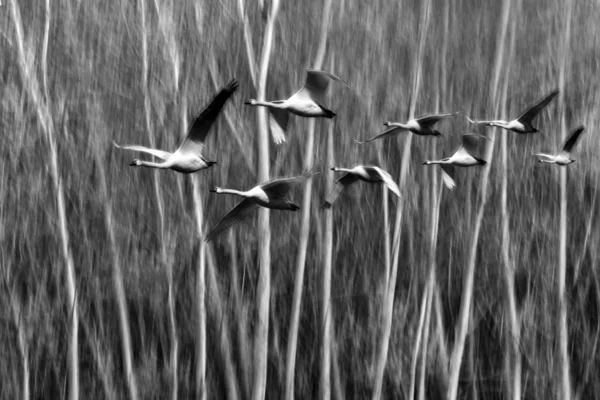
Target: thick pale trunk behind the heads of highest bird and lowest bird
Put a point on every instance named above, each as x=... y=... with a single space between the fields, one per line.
x=263 y=290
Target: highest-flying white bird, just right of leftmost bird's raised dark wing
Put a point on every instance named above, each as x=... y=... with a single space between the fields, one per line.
x=306 y=102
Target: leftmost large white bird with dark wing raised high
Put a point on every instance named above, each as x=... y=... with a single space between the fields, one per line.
x=188 y=157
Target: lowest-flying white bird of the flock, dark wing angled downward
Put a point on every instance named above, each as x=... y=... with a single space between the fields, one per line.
x=270 y=194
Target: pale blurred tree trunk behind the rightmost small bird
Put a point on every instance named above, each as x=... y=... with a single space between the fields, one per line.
x=563 y=332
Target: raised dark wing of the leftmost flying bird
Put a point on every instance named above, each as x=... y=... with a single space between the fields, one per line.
x=194 y=142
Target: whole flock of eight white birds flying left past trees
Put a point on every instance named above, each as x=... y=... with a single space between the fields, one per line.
x=308 y=102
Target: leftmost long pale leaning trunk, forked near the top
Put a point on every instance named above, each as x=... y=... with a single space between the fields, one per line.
x=42 y=107
